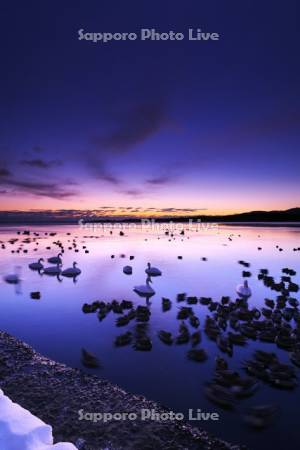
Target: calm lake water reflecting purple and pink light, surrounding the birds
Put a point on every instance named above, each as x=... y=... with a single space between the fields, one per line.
x=56 y=326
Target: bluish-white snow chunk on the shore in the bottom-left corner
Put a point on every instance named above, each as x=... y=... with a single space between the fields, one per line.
x=19 y=429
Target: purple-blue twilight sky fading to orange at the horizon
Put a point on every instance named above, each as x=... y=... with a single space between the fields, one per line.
x=149 y=126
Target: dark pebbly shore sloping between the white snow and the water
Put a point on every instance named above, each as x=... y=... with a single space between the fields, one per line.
x=55 y=393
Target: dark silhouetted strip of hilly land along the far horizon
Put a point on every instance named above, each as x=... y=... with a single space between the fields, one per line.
x=73 y=216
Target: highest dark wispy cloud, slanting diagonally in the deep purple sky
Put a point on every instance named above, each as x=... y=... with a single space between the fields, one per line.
x=135 y=126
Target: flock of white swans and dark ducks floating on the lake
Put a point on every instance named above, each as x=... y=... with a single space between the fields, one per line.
x=229 y=323
